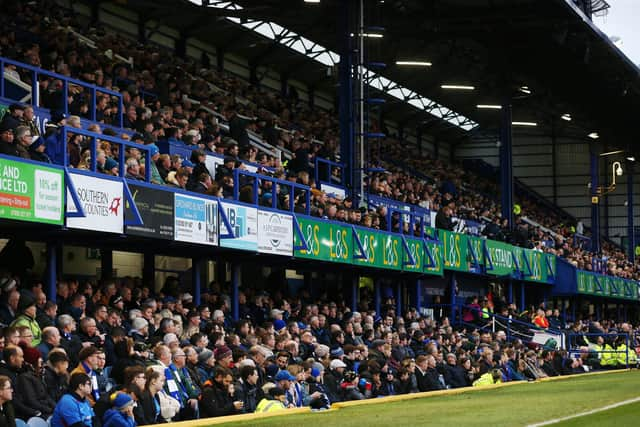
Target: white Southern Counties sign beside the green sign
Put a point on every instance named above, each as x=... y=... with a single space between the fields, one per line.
x=102 y=202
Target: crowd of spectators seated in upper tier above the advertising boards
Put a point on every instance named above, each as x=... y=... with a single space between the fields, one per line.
x=166 y=98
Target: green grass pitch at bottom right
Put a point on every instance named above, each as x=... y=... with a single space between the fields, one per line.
x=516 y=405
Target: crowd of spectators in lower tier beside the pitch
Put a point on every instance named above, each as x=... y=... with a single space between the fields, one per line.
x=86 y=358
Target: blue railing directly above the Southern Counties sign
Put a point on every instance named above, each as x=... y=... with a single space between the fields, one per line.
x=93 y=146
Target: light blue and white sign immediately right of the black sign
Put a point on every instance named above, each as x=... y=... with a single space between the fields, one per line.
x=196 y=220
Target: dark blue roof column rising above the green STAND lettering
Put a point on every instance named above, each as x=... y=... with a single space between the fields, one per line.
x=506 y=166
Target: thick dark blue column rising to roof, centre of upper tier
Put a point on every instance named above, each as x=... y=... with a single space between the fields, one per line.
x=345 y=93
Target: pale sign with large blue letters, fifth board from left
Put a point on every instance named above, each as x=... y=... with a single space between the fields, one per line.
x=244 y=225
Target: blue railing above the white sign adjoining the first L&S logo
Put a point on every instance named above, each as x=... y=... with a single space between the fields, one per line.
x=276 y=185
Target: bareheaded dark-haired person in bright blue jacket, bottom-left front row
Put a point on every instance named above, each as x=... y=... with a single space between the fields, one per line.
x=74 y=410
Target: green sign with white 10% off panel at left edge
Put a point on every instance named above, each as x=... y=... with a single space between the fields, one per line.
x=30 y=192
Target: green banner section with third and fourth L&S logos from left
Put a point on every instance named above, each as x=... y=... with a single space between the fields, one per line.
x=382 y=250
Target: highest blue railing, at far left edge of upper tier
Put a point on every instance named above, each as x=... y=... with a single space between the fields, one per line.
x=36 y=73
